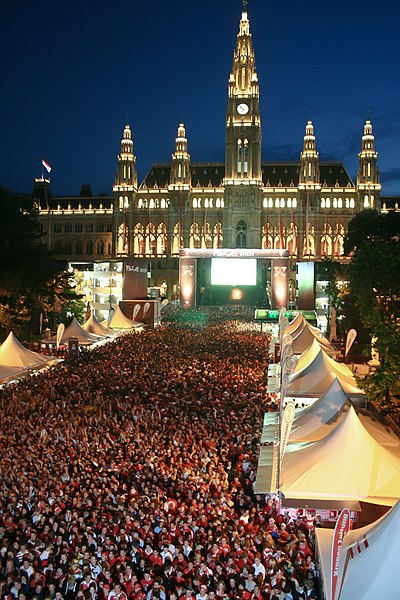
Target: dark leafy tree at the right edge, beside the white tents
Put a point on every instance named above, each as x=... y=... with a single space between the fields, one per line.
x=374 y=274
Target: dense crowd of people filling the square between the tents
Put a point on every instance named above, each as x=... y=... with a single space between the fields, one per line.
x=129 y=474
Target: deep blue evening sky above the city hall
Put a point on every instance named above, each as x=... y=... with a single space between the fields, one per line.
x=73 y=73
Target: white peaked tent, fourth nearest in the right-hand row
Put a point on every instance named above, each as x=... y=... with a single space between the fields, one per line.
x=315 y=372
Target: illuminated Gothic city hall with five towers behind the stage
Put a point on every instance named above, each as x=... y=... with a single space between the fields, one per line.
x=243 y=203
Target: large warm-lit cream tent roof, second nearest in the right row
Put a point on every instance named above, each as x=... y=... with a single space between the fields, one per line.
x=348 y=464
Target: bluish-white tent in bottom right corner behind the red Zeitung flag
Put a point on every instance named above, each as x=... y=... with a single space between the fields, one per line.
x=369 y=559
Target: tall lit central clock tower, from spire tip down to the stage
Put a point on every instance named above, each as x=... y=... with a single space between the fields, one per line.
x=243 y=176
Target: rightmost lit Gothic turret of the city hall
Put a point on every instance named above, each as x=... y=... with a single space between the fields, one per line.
x=368 y=174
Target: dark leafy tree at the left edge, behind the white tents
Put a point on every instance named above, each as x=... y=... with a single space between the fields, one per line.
x=32 y=280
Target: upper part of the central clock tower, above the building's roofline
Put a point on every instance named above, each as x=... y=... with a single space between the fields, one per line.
x=243 y=123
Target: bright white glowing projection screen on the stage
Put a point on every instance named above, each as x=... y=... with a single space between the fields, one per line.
x=233 y=271
